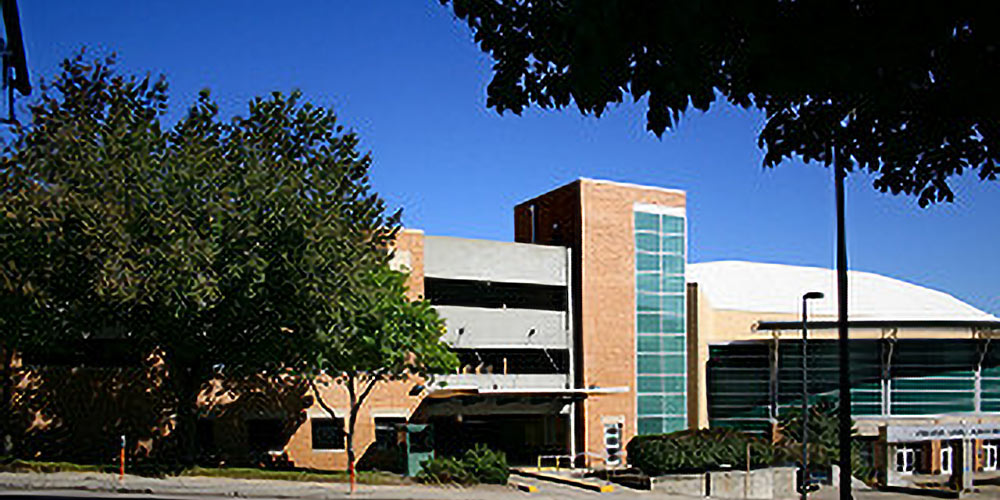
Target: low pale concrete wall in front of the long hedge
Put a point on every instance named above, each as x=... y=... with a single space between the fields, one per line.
x=771 y=483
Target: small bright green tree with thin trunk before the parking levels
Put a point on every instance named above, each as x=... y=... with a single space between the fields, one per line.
x=385 y=336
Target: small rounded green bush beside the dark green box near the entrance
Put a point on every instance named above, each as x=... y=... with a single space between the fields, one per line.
x=478 y=465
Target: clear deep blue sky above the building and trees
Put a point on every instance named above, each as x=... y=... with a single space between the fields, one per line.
x=407 y=77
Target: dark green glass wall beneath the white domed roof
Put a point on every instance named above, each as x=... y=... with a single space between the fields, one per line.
x=910 y=377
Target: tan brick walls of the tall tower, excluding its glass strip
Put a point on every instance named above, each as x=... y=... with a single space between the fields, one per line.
x=595 y=219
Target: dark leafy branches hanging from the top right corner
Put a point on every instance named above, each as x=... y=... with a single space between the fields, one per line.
x=904 y=90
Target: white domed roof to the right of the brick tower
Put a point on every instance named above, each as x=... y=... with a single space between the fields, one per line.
x=778 y=288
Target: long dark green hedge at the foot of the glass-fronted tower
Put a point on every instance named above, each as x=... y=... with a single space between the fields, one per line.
x=698 y=450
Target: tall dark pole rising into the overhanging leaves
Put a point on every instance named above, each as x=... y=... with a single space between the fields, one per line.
x=843 y=351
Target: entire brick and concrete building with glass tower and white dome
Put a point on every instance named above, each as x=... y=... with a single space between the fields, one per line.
x=591 y=327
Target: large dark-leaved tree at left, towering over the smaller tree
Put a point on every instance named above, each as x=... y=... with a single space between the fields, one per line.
x=222 y=246
